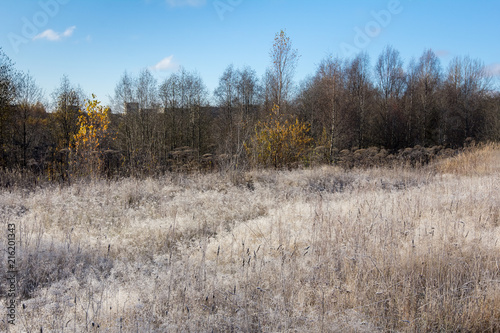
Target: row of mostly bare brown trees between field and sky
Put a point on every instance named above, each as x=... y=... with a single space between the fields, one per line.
x=177 y=124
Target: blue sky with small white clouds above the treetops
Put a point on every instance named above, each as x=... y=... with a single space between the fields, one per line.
x=94 y=42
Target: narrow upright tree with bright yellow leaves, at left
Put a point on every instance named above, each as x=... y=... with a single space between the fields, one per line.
x=87 y=146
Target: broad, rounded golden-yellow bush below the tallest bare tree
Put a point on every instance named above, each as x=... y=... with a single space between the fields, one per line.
x=279 y=142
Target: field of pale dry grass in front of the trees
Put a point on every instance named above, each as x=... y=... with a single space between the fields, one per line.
x=315 y=250
